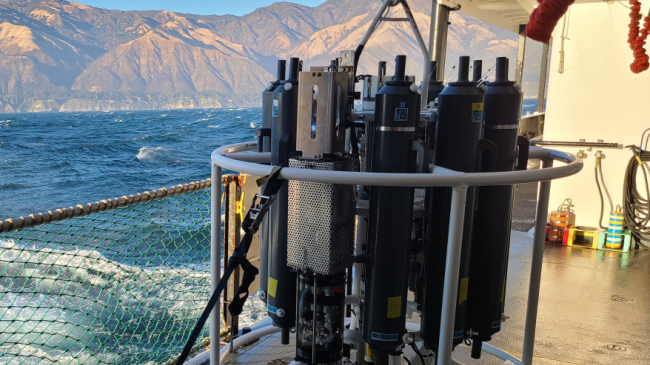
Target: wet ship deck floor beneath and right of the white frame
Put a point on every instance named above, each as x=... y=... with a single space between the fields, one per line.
x=594 y=306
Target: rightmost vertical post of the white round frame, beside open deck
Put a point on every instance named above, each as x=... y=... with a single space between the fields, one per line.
x=536 y=267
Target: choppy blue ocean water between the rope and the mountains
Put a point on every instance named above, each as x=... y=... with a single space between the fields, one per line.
x=55 y=160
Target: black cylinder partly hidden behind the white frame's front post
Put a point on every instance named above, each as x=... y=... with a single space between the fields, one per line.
x=459 y=120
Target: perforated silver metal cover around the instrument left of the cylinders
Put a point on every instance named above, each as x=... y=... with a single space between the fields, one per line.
x=321 y=220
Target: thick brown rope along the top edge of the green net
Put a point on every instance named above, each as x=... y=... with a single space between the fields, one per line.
x=62 y=214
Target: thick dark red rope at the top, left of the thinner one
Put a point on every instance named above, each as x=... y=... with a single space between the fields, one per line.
x=545 y=17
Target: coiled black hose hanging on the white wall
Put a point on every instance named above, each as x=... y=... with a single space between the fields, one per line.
x=635 y=206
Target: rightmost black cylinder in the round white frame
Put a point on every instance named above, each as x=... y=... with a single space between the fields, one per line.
x=489 y=258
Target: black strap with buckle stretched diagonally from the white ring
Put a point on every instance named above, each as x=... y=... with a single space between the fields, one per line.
x=250 y=225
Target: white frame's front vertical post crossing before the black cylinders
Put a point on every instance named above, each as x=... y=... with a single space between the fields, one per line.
x=452 y=268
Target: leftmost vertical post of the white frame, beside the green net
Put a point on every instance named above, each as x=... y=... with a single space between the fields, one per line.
x=215 y=262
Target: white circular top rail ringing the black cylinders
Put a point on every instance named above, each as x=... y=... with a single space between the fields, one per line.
x=574 y=165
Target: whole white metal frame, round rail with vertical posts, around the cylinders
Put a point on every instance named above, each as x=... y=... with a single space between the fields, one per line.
x=231 y=157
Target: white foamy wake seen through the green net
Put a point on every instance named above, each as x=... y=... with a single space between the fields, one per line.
x=78 y=307
